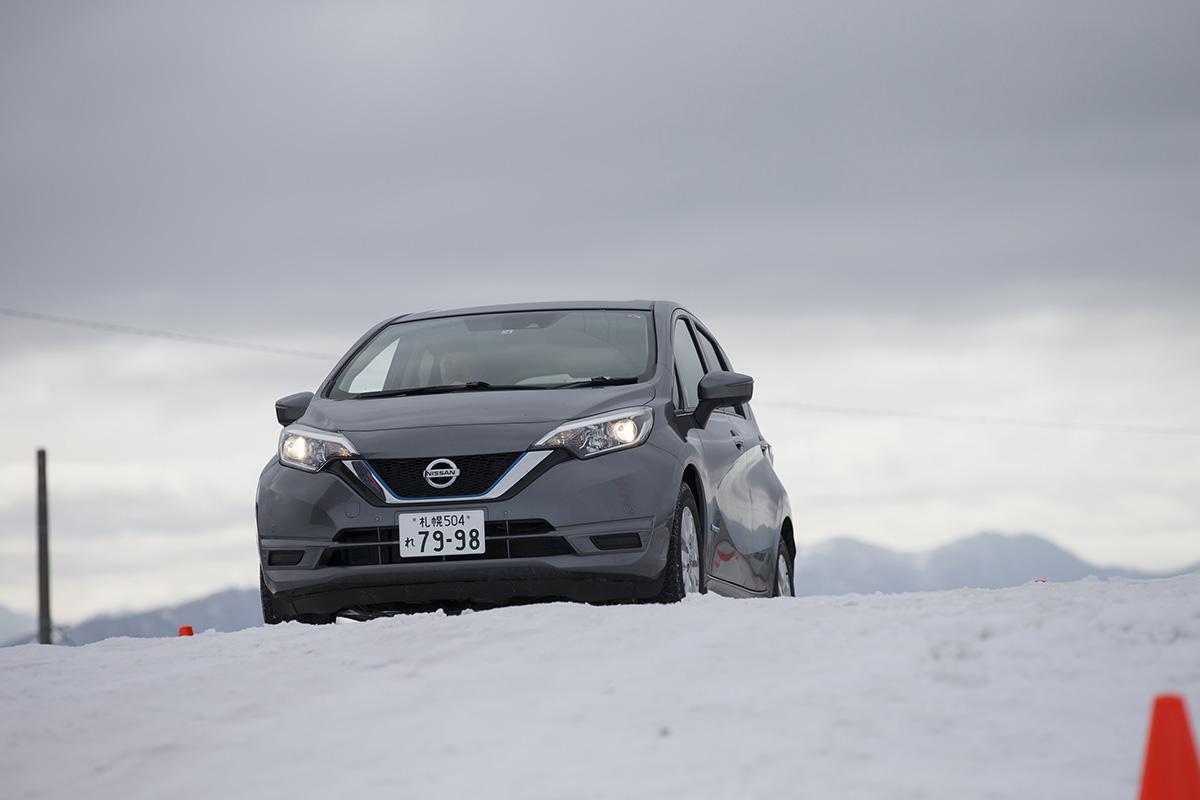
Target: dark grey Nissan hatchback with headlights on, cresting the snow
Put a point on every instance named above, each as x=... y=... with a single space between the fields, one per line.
x=586 y=452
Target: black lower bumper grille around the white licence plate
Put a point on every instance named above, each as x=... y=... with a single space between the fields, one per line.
x=506 y=540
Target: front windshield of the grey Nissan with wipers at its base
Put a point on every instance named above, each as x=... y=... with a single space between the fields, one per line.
x=529 y=350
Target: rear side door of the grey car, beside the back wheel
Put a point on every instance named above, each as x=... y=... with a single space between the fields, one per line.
x=754 y=474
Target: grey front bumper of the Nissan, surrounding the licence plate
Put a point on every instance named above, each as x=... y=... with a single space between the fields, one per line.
x=309 y=516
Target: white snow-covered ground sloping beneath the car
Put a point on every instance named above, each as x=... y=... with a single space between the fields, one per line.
x=1041 y=691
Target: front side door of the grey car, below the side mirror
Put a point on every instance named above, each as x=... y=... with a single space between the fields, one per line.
x=723 y=447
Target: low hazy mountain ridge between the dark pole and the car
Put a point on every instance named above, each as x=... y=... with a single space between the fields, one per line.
x=232 y=610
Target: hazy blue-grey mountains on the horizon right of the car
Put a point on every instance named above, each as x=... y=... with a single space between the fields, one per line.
x=983 y=562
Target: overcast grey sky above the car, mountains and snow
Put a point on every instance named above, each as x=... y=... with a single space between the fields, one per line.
x=988 y=209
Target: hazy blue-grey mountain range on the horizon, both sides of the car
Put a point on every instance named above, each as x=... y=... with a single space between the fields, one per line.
x=833 y=568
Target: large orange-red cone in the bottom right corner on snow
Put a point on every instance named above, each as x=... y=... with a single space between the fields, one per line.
x=1173 y=771
